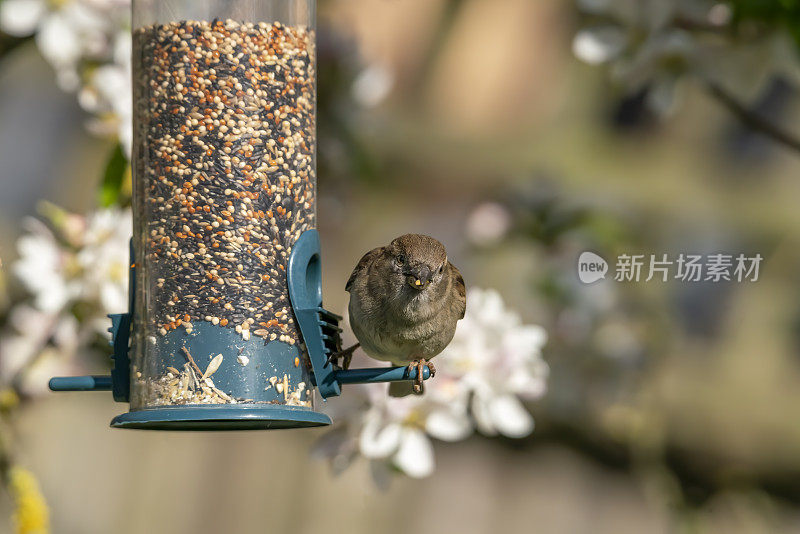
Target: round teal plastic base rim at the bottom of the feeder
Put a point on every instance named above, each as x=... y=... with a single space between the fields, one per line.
x=221 y=417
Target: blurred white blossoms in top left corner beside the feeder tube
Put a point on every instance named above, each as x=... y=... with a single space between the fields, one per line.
x=88 y=44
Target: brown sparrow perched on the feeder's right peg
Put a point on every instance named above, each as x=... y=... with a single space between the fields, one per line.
x=405 y=301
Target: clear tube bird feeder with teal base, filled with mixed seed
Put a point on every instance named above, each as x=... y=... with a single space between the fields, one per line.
x=225 y=328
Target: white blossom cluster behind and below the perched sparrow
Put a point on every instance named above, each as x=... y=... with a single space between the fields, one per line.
x=493 y=363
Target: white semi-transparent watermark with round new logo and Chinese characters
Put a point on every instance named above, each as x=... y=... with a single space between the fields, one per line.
x=663 y=267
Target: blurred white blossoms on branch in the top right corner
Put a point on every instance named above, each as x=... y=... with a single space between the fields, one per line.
x=662 y=43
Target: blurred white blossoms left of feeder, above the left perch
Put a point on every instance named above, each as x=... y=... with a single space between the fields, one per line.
x=76 y=273
